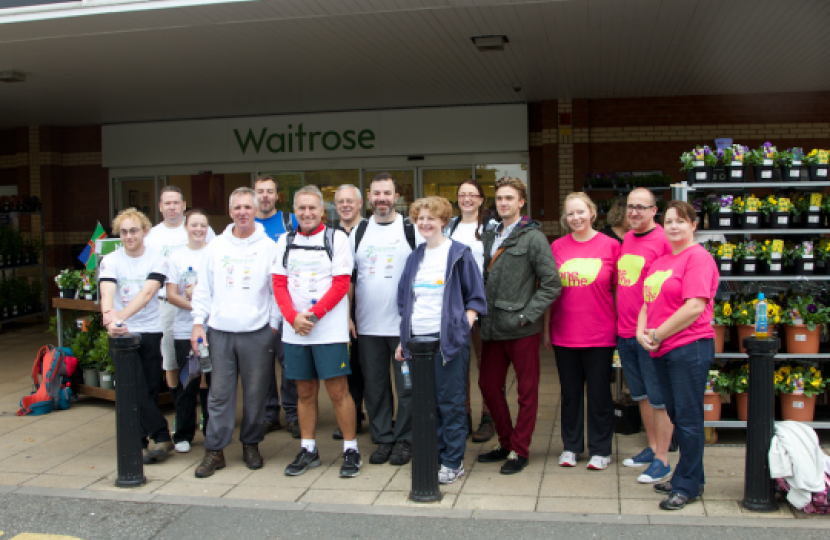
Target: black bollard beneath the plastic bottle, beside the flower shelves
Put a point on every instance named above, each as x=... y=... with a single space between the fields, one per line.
x=759 y=493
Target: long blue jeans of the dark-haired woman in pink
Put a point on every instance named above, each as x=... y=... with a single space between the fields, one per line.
x=682 y=373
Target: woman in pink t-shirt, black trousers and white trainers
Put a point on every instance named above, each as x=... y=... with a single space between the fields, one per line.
x=581 y=327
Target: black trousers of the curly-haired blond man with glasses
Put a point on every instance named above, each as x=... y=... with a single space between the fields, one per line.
x=153 y=423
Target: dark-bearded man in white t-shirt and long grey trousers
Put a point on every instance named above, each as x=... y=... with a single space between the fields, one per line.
x=381 y=246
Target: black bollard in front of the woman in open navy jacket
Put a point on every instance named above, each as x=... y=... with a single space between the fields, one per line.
x=424 y=430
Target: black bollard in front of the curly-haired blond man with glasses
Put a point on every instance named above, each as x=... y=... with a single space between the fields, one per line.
x=124 y=352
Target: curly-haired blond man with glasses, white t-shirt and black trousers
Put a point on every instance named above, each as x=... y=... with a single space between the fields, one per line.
x=130 y=278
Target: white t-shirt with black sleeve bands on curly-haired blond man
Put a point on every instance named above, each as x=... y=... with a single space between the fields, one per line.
x=130 y=274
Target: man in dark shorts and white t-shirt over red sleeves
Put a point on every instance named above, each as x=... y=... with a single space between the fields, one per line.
x=311 y=275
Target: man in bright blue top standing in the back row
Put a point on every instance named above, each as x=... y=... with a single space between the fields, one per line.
x=276 y=224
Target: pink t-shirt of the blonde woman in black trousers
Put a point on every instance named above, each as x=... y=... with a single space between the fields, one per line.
x=584 y=314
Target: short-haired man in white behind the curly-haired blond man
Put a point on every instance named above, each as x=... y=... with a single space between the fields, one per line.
x=165 y=238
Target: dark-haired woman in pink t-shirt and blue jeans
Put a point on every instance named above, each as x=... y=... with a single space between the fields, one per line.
x=675 y=327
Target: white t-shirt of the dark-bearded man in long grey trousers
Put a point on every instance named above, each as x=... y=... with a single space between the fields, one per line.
x=380 y=260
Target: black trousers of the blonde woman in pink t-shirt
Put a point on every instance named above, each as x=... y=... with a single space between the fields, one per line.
x=581 y=368
